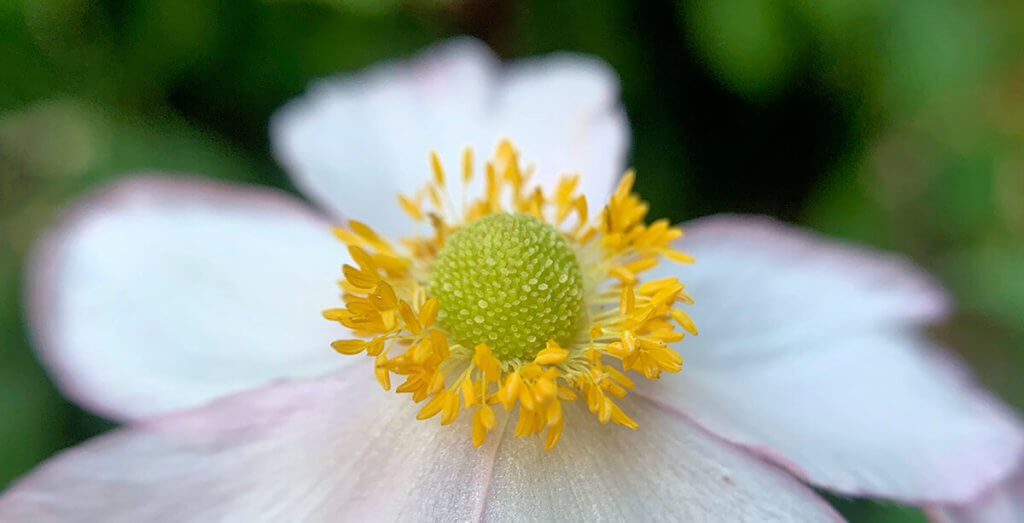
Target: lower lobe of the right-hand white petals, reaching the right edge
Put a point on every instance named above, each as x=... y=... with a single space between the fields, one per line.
x=865 y=416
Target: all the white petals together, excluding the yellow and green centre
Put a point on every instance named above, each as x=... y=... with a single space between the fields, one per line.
x=182 y=304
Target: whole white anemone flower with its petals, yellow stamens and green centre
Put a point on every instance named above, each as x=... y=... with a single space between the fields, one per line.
x=505 y=301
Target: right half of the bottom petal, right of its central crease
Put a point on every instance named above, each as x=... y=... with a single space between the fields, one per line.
x=669 y=470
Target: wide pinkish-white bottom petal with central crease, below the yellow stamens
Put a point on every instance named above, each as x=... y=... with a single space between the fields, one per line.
x=334 y=449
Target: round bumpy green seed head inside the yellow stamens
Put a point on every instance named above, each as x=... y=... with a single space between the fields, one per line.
x=511 y=282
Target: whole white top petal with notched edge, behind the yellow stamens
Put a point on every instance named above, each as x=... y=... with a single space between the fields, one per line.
x=355 y=143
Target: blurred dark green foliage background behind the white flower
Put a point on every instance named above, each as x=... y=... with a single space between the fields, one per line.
x=897 y=123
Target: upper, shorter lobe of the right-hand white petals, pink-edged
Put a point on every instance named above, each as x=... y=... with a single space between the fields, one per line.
x=767 y=286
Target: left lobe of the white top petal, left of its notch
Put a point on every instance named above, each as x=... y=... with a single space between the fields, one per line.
x=354 y=144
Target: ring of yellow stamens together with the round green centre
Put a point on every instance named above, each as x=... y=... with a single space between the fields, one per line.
x=518 y=300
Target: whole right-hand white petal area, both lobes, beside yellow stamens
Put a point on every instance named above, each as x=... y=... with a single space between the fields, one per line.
x=808 y=357
